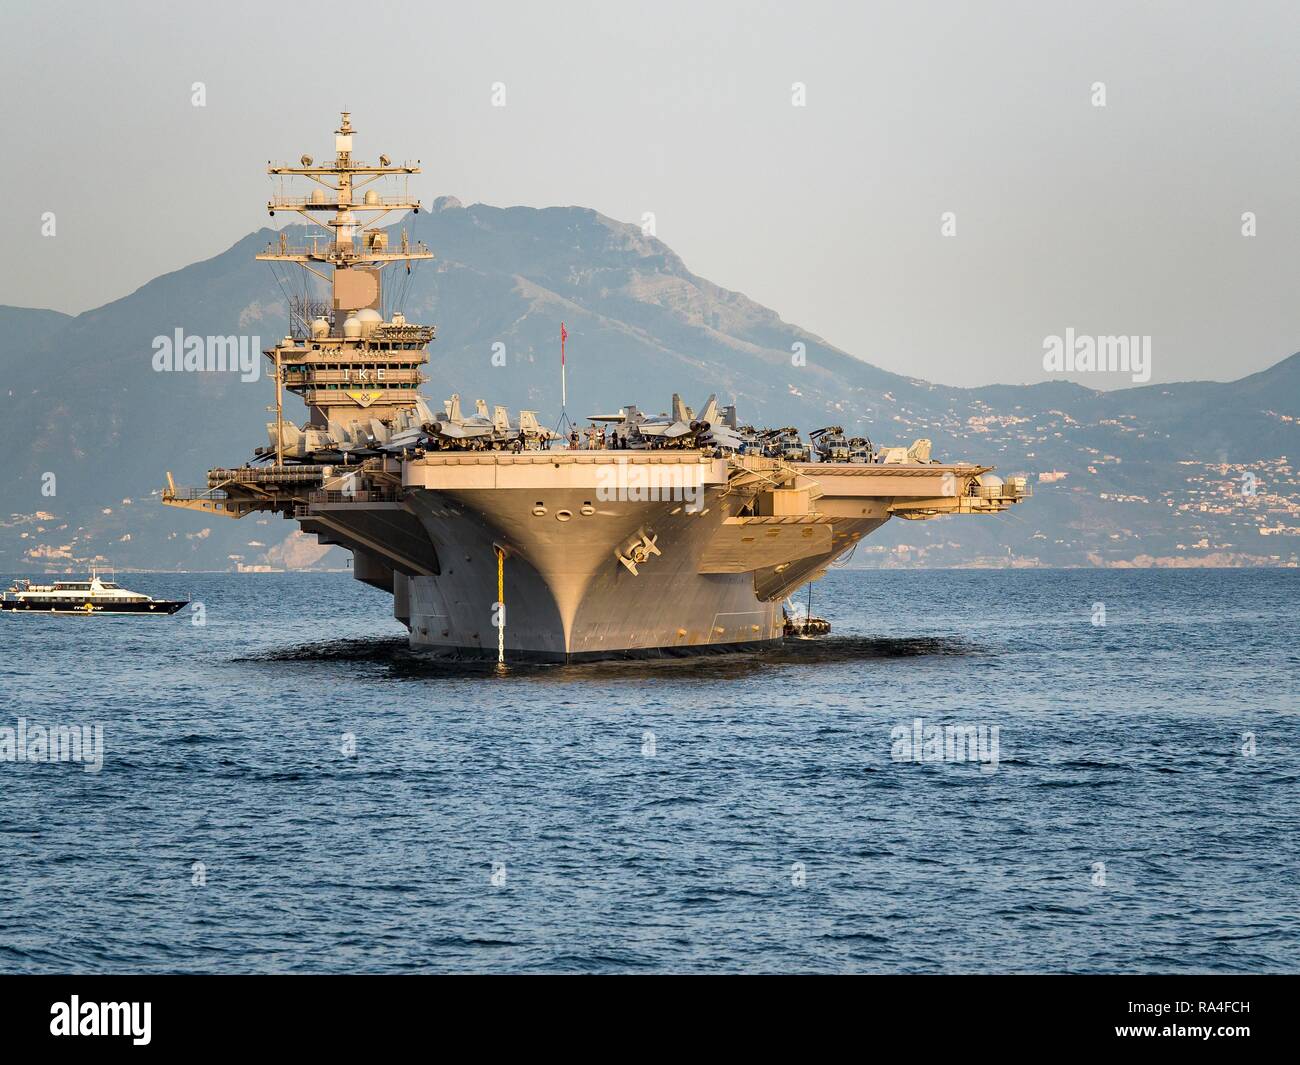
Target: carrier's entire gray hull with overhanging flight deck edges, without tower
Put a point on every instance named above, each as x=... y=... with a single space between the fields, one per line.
x=727 y=549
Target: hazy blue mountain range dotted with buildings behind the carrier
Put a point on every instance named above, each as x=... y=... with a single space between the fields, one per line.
x=1154 y=475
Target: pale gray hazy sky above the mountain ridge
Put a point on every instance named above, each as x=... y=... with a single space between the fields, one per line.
x=1124 y=219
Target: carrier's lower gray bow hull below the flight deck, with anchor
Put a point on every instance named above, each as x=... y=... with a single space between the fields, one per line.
x=566 y=594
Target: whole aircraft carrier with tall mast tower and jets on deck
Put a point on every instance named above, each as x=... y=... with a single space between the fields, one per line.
x=499 y=538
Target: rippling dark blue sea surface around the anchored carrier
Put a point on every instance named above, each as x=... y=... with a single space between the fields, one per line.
x=743 y=815
